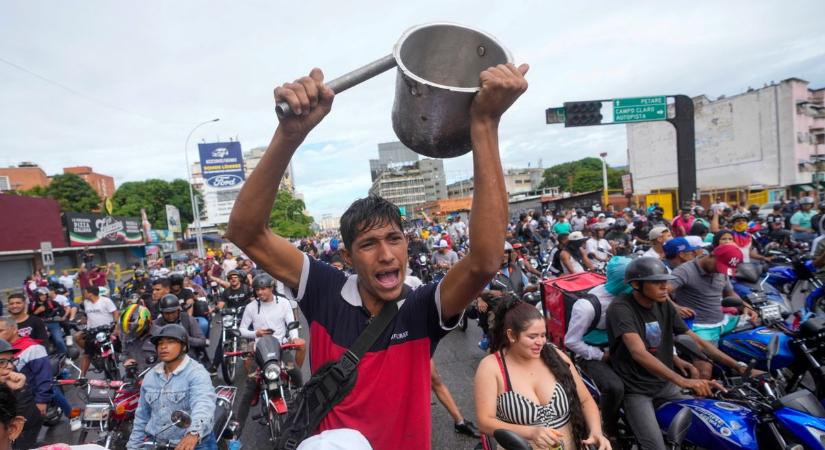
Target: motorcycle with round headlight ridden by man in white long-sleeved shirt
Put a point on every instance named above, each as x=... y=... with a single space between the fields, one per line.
x=277 y=380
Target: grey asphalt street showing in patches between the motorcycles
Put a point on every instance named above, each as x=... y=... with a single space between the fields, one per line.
x=457 y=357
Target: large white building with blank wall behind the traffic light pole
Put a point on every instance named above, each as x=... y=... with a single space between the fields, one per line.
x=768 y=137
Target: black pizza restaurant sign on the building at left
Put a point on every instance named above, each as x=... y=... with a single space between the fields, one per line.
x=99 y=229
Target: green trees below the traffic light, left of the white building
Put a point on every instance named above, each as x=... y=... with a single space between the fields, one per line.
x=581 y=176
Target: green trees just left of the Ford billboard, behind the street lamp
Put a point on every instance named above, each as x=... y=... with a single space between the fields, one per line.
x=153 y=196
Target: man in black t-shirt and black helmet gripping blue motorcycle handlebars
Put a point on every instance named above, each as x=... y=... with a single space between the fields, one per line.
x=640 y=329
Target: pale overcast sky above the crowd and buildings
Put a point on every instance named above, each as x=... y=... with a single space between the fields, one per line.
x=125 y=82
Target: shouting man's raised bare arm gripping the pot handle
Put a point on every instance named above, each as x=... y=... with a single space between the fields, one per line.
x=248 y=226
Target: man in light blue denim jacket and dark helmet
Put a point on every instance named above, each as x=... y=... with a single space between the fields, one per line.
x=176 y=383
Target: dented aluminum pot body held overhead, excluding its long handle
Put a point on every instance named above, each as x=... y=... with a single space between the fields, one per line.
x=438 y=74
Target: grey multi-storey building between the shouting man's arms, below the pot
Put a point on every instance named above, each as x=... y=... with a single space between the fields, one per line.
x=399 y=176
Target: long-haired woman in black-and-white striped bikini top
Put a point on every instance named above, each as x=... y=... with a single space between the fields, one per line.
x=531 y=388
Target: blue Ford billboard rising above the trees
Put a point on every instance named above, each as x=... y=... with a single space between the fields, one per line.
x=221 y=164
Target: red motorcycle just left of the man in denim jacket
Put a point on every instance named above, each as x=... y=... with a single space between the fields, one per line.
x=110 y=408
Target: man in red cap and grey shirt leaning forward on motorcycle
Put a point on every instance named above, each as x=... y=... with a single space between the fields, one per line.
x=700 y=285
